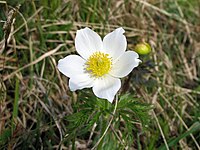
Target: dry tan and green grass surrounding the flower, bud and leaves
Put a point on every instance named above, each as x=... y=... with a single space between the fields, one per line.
x=34 y=95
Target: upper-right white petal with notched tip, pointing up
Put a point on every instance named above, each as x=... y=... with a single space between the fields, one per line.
x=115 y=43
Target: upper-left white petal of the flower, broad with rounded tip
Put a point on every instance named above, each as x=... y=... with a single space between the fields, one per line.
x=87 y=42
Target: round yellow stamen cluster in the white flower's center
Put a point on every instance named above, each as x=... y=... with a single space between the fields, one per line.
x=98 y=64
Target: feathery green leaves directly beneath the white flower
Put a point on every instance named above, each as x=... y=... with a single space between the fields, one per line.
x=130 y=116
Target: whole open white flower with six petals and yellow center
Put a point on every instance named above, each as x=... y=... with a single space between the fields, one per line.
x=100 y=64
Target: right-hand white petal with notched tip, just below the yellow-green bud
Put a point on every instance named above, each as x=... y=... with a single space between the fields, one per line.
x=125 y=64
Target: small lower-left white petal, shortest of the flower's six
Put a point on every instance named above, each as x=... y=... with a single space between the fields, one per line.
x=80 y=81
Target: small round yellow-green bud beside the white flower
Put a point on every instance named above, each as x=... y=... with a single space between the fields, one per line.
x=143 y=48
